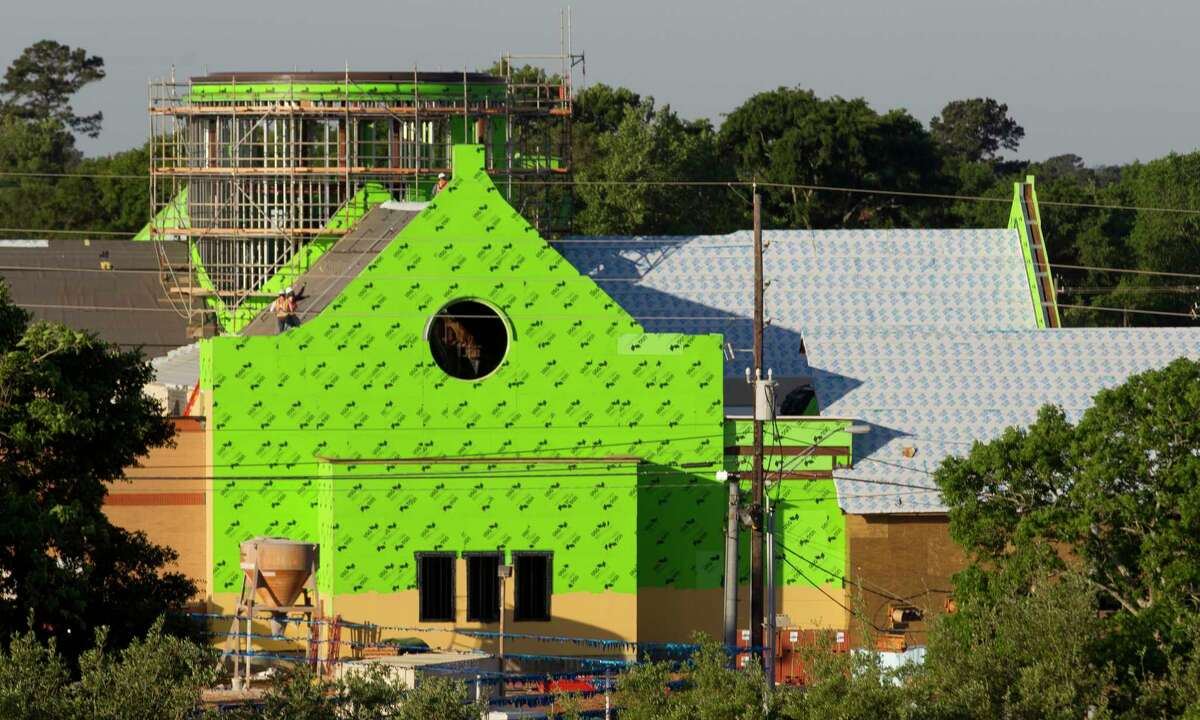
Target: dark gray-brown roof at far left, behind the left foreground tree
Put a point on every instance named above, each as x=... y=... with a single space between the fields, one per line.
x=63 y=281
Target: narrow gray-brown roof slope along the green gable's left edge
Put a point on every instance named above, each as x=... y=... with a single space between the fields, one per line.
x=343 y=263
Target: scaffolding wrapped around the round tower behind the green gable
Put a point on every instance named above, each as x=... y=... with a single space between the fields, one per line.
x=251 y=169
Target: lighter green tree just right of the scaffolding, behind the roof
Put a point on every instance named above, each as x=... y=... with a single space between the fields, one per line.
x=629 y=188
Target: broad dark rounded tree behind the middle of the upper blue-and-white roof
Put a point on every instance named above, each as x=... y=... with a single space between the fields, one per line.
x=790 y=137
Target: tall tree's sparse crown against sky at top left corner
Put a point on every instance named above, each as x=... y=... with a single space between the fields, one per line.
x=41 y=81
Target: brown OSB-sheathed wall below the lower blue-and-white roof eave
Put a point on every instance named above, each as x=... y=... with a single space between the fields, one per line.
x=911 y=557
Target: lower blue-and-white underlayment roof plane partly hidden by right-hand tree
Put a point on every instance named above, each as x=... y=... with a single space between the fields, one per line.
x=938 y=393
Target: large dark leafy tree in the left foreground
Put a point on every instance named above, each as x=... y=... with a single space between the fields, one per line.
x=73 y=417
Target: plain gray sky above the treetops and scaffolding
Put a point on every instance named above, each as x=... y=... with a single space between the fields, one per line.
x=1112 y=81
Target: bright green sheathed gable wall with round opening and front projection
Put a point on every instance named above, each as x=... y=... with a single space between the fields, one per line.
x=581 y=380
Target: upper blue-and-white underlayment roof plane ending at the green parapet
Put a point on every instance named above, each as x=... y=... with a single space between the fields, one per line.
x=818 y=279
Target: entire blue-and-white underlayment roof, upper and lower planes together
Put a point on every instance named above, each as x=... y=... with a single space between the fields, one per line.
x=928 y=335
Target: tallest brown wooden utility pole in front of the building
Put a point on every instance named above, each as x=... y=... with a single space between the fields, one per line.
x=757 y=507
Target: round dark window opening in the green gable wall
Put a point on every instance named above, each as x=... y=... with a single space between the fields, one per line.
x=469 y=340
